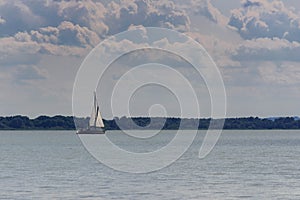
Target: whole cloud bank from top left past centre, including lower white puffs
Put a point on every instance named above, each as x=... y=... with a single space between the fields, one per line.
x=74 y=27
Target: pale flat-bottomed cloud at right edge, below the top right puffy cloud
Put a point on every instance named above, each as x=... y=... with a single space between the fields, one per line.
x=266 y=61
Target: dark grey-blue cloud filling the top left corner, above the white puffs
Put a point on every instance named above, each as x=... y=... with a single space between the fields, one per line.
x=31 y=15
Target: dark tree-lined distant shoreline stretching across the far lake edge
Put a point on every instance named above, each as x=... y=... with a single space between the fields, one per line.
x=60 y=122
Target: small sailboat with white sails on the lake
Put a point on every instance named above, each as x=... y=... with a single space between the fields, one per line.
x=96 y=125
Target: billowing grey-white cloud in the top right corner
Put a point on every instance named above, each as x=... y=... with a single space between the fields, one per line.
x=262 y=18
